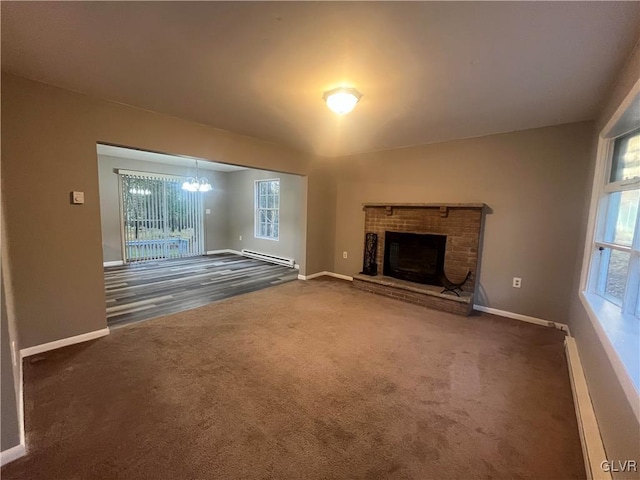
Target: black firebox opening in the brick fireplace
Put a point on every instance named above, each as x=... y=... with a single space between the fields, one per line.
x=414 y=257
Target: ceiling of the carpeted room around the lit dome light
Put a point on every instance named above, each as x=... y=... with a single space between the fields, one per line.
x=429 y=71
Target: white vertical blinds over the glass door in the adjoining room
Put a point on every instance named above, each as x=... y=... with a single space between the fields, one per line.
x=159 y=218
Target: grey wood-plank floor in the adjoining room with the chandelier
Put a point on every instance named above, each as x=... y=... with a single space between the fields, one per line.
x=140 y=291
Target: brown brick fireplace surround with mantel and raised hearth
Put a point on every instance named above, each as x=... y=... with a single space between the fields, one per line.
x=460 y=222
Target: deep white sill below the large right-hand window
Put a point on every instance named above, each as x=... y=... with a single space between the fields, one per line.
x=620 y=337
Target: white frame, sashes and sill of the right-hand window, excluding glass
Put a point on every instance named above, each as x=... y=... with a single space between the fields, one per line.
x=618 y=332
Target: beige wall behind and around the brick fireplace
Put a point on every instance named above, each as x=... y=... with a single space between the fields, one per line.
x=534 y=183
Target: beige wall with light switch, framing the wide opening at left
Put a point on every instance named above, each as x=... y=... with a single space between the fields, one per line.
x=49 y=137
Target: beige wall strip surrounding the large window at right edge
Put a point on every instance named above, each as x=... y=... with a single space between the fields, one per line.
x=618 y=424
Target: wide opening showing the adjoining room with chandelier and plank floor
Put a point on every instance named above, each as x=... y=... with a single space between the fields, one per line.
x=167 y=248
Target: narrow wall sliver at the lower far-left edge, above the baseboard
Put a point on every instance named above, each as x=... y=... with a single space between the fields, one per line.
x=10 y=436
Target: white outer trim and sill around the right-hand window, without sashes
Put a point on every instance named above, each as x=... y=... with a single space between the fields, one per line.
x=618 y=333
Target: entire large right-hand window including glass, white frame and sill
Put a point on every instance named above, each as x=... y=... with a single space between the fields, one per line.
x=610 y=281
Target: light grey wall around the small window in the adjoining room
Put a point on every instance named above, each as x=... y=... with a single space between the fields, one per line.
x=241 y=202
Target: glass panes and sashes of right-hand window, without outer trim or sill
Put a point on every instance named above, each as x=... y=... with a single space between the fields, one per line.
x=615 y=265
